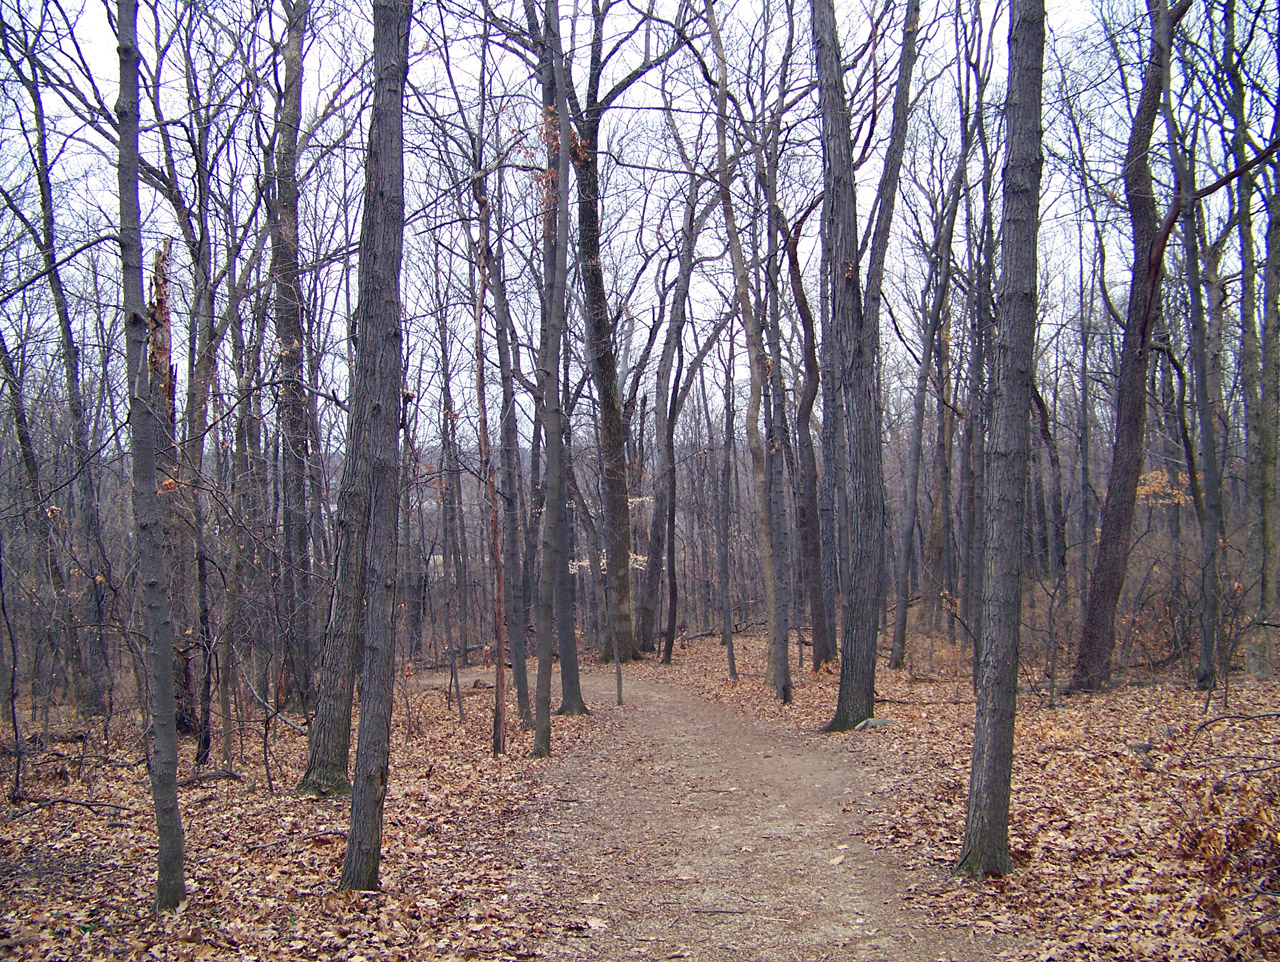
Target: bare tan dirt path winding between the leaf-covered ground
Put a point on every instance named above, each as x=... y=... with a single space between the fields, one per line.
x=693 y=832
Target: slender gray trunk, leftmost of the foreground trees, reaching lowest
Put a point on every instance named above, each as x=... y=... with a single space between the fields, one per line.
x=145 y=496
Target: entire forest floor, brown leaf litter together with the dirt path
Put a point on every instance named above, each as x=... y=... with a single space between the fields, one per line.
x=702 y=821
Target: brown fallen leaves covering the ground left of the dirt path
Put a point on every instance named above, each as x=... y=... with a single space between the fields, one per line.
x=77 y=871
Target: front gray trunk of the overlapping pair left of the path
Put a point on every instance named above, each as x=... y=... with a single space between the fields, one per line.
x=377 y=390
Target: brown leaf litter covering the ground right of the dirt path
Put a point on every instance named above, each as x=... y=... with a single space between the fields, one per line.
x=1145 y=822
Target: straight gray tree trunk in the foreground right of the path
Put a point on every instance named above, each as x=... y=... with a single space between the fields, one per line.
x=986 y=841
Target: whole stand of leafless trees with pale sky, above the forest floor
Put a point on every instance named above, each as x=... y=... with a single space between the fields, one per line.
x=345 y=341
